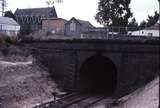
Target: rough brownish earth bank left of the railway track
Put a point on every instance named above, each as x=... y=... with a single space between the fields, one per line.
x=23 y=84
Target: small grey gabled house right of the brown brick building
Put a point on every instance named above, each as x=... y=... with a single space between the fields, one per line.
x=75 y=27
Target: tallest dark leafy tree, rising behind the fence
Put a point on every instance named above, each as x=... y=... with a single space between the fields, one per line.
x=113 y=12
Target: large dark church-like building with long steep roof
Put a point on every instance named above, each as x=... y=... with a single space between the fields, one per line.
x=31 y=19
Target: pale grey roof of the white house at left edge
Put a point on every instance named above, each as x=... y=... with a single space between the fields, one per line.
x=8 y=21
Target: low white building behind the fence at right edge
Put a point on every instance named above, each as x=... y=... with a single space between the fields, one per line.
x=151 y=31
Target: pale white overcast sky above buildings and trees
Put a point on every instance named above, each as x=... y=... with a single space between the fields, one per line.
x=86 y=9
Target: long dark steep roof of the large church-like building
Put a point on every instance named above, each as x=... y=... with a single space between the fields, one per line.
x=37 y=12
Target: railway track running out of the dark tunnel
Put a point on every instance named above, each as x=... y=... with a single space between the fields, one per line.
x=77 y=100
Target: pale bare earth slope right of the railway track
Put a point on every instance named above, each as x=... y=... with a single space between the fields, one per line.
x=145 y=97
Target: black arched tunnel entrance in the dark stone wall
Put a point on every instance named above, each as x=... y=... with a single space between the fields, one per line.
x=98 y=74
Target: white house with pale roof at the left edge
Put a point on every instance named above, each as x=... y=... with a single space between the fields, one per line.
x=8 y=26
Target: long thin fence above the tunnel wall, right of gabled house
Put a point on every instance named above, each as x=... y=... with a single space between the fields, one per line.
x=128 y=31
